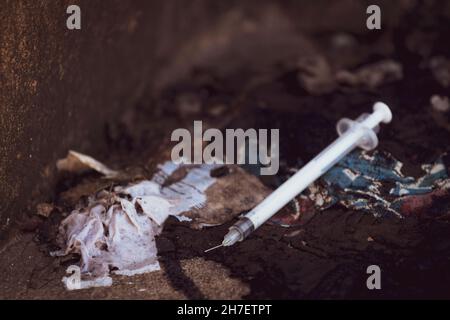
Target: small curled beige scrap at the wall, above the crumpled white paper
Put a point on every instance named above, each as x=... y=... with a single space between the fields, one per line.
x=76 y=162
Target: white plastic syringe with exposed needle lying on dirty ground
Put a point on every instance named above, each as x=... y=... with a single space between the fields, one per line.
x=360 y=133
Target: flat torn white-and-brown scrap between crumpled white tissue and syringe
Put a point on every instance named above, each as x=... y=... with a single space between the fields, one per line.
x=195 y=196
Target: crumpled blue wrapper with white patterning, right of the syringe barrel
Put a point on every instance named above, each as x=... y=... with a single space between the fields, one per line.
x=376 y=184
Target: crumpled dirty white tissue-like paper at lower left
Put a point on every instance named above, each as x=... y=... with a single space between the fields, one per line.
x=108 y=238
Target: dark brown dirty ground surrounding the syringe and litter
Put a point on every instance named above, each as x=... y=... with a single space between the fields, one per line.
x=324 y=258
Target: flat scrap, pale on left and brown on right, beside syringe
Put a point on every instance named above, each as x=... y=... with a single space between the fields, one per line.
x=205 y=198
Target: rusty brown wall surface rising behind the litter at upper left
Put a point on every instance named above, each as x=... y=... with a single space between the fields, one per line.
x=58 y=87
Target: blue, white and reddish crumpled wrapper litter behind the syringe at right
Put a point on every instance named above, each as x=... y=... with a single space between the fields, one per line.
x=361 y=182
